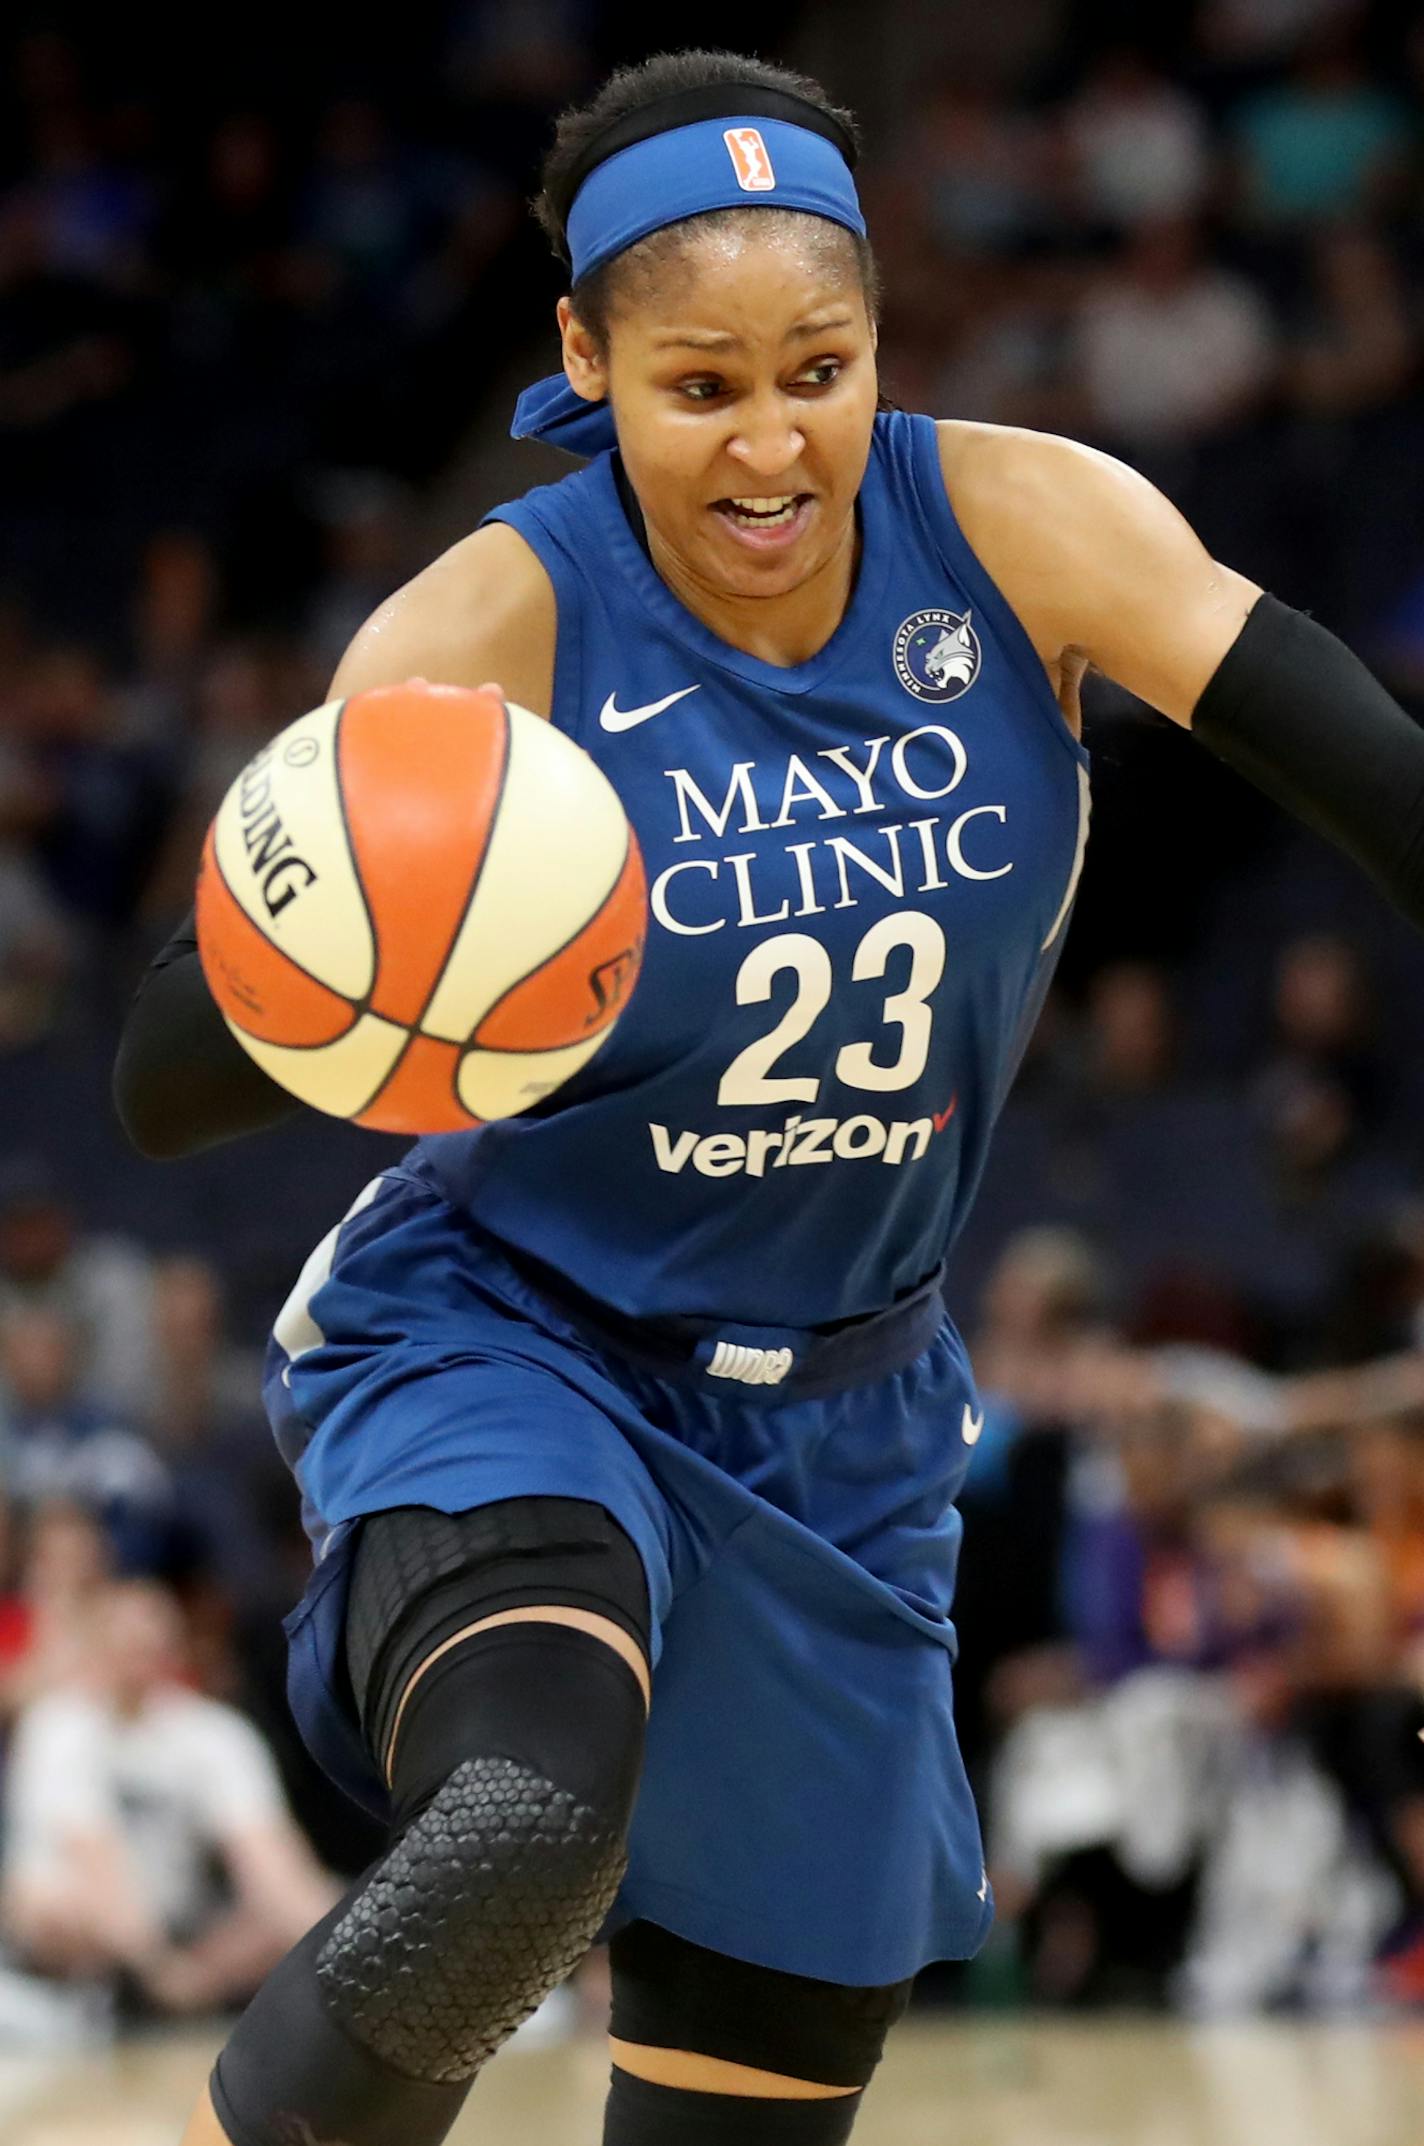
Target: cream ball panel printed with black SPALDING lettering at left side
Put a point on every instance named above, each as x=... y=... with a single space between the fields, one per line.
x=282 y=847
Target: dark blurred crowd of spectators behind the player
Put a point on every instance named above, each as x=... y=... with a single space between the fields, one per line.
x=263 y=314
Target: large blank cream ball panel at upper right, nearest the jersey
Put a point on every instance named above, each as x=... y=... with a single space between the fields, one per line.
x=554 y=857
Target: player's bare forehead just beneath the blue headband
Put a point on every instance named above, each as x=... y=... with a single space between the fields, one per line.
x=747 y=274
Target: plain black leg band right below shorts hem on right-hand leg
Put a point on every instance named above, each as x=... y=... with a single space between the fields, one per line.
x=674 y=1995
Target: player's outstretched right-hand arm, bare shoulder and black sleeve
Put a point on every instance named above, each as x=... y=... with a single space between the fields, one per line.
x=1099 y=563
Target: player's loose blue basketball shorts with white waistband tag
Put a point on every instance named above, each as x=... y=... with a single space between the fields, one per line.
x=792 y=1499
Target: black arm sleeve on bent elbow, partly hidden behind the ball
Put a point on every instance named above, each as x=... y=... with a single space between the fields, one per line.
x=181 y=1078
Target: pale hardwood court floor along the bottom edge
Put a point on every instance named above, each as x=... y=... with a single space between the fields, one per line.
x=983 y=2083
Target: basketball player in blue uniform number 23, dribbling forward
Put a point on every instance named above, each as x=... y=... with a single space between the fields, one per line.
x=659 y=1375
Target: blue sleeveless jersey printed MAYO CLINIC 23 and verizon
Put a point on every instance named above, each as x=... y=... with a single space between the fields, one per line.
x=861 y=872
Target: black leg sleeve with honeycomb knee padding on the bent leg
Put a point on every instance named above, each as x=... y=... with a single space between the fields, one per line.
x=516 y=1778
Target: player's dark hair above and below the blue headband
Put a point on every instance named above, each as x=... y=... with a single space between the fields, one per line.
x=634 y=89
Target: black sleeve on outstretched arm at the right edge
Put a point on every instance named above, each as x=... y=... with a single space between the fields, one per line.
x=1301 y=718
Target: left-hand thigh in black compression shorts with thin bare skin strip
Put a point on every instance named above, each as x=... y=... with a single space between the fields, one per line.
x=421 y=1581
